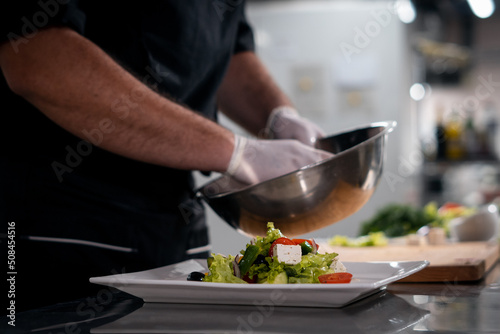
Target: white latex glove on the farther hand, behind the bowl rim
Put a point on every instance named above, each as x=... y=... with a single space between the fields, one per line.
x=286 y=123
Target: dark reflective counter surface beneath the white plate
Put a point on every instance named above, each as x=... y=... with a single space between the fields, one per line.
x=446 y=307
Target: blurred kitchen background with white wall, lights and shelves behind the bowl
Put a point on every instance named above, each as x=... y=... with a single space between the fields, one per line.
x=433 y=66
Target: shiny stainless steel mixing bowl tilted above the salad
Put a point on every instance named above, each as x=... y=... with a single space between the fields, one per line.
x=312 y=197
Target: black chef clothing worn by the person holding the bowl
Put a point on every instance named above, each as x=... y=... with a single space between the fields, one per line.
x=80 y=211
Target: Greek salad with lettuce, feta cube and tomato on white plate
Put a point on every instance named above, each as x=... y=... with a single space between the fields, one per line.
x=275 y=259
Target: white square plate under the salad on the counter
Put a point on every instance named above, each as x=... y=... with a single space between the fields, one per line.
x=169 y=284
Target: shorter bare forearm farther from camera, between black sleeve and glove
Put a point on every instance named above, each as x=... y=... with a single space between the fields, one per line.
x=248 y=93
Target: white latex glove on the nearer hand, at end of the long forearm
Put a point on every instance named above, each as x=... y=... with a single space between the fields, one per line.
x=254 y=161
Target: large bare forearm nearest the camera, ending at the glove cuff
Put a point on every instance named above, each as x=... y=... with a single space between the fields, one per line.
x=78 y=86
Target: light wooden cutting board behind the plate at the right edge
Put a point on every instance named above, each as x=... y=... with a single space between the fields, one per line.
x=451 y=262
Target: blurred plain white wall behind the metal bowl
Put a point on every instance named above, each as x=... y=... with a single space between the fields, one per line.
x=343 y=63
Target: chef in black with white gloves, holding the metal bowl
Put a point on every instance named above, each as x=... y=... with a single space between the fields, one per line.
x=108 y=107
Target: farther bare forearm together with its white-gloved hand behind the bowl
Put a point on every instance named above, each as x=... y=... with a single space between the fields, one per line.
x=250 y=97
